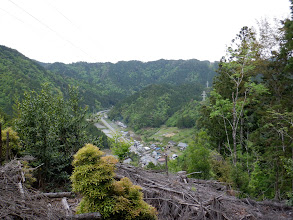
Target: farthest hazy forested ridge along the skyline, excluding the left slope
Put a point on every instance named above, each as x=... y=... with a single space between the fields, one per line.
x=110 y=83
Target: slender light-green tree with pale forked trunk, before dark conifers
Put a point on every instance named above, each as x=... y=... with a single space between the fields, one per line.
x=237 y=69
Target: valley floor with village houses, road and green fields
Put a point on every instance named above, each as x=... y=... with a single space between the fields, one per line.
x=150 y=144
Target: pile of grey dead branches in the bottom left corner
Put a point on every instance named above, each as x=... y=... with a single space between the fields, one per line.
x=18 y=202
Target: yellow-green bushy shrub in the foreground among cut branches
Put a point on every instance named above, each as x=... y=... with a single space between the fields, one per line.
x=93 y=177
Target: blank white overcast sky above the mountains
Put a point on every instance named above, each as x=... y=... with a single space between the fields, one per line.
x=114 y=30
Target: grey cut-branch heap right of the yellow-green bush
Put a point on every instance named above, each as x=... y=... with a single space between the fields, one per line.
x=179 y=197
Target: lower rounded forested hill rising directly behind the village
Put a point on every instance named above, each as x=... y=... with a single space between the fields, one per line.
x=155 y=104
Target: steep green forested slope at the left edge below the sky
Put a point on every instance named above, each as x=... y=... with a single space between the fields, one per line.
x=18 y=74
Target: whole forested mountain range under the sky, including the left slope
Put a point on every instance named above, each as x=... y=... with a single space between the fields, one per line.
x=100 y=84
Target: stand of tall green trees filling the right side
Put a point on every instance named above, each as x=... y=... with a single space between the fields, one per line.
x=250 y=120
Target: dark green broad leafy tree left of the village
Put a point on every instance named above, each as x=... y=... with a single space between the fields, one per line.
x=51 y=130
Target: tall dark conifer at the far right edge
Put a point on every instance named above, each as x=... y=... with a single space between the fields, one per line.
x=273 y=138
